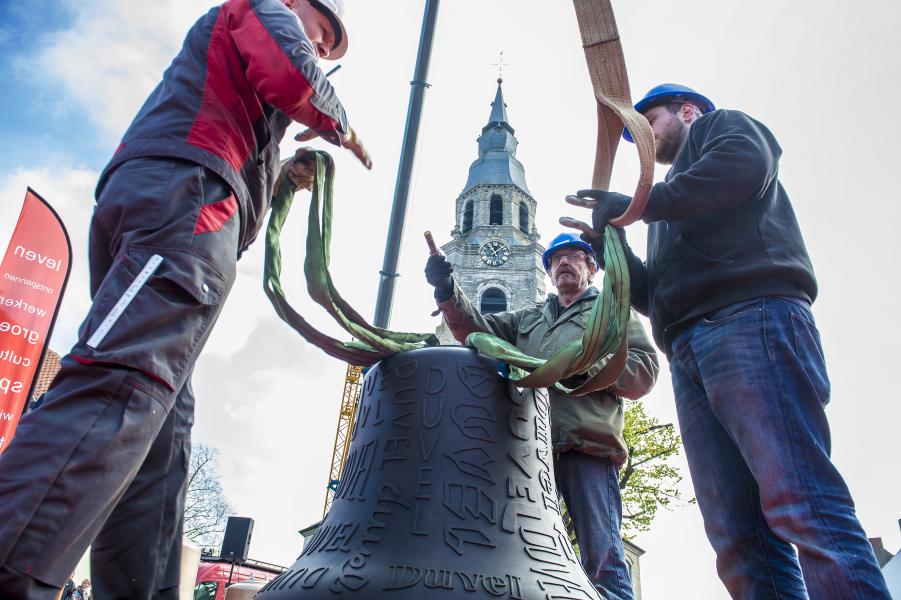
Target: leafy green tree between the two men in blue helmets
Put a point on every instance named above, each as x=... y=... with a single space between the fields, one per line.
x=648 y=481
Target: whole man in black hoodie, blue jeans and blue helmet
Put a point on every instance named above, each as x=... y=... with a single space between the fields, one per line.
x=728 y=286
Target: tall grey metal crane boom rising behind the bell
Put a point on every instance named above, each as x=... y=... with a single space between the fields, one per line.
x=408 y=152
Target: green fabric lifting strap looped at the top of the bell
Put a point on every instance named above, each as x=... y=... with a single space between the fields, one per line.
x=599 y=355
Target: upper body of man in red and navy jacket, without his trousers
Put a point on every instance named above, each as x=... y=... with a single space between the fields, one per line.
x=247 y=70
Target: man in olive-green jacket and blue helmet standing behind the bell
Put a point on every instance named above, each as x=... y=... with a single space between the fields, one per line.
x=587 y=431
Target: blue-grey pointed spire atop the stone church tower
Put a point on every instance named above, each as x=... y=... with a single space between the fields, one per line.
x=497 y=163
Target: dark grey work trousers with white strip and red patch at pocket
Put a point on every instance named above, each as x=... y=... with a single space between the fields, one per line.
x=104 y=459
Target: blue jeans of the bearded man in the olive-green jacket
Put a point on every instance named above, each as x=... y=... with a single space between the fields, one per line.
x=590 y=487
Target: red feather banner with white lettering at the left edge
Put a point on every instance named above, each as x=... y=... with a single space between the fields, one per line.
x=33 y=276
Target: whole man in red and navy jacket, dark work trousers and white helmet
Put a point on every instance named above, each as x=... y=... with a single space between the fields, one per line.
x=104 y=460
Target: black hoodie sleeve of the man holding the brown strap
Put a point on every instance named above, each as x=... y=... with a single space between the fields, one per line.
x=738 y=158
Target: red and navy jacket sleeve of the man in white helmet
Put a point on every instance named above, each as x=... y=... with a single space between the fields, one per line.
x=280 y=63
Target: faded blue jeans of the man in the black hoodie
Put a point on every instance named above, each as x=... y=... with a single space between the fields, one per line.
x=750 y=384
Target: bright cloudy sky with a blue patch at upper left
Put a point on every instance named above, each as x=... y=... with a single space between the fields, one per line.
x=822 y=74
